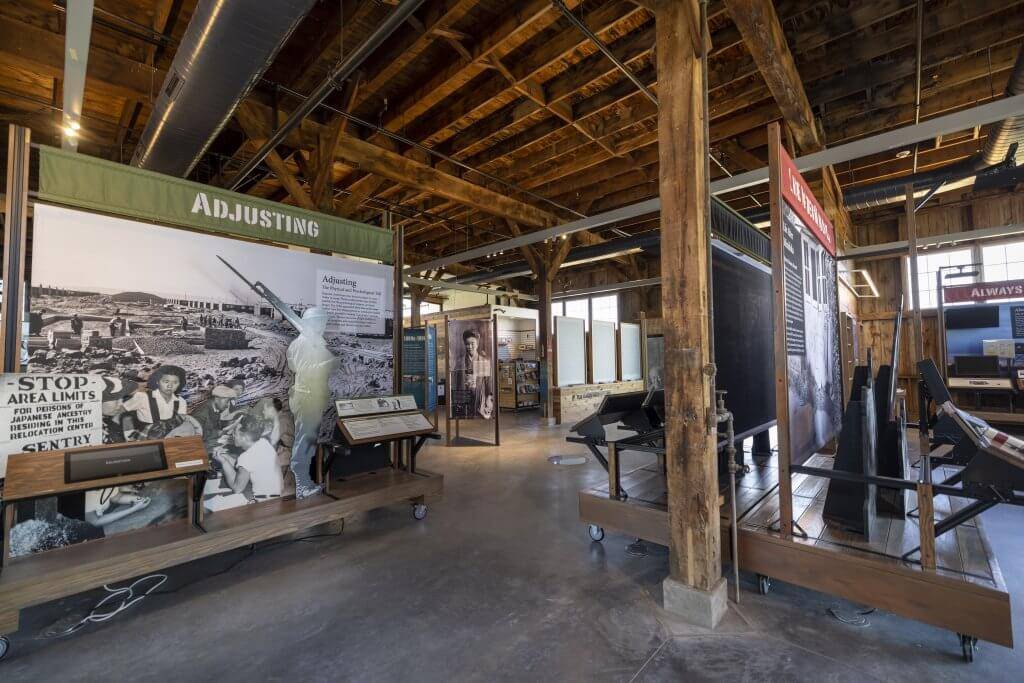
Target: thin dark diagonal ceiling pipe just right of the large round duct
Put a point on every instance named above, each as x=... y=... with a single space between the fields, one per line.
x=328 y=86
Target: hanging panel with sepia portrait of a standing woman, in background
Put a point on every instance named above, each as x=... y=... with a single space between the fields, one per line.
x=473 y=394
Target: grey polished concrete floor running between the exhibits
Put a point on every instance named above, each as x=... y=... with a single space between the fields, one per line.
x=501 y=582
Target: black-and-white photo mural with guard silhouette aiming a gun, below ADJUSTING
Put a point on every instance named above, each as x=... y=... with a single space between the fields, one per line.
x=196 y=334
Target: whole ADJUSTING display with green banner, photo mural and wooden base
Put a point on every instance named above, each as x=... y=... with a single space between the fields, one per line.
x=190 y=325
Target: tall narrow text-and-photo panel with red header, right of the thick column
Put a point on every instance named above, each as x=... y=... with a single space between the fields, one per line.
x=805 y=241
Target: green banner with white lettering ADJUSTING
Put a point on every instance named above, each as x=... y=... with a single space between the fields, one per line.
x=88 y=183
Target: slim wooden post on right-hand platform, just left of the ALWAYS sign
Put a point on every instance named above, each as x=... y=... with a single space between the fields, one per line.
x=926 y=506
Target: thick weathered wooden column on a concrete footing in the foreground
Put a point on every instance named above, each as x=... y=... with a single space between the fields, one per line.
x=696 y=588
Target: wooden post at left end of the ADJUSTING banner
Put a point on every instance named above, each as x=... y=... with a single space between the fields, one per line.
x=15 y=231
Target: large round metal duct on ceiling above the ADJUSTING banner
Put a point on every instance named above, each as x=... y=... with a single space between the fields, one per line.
x=225 y=52
